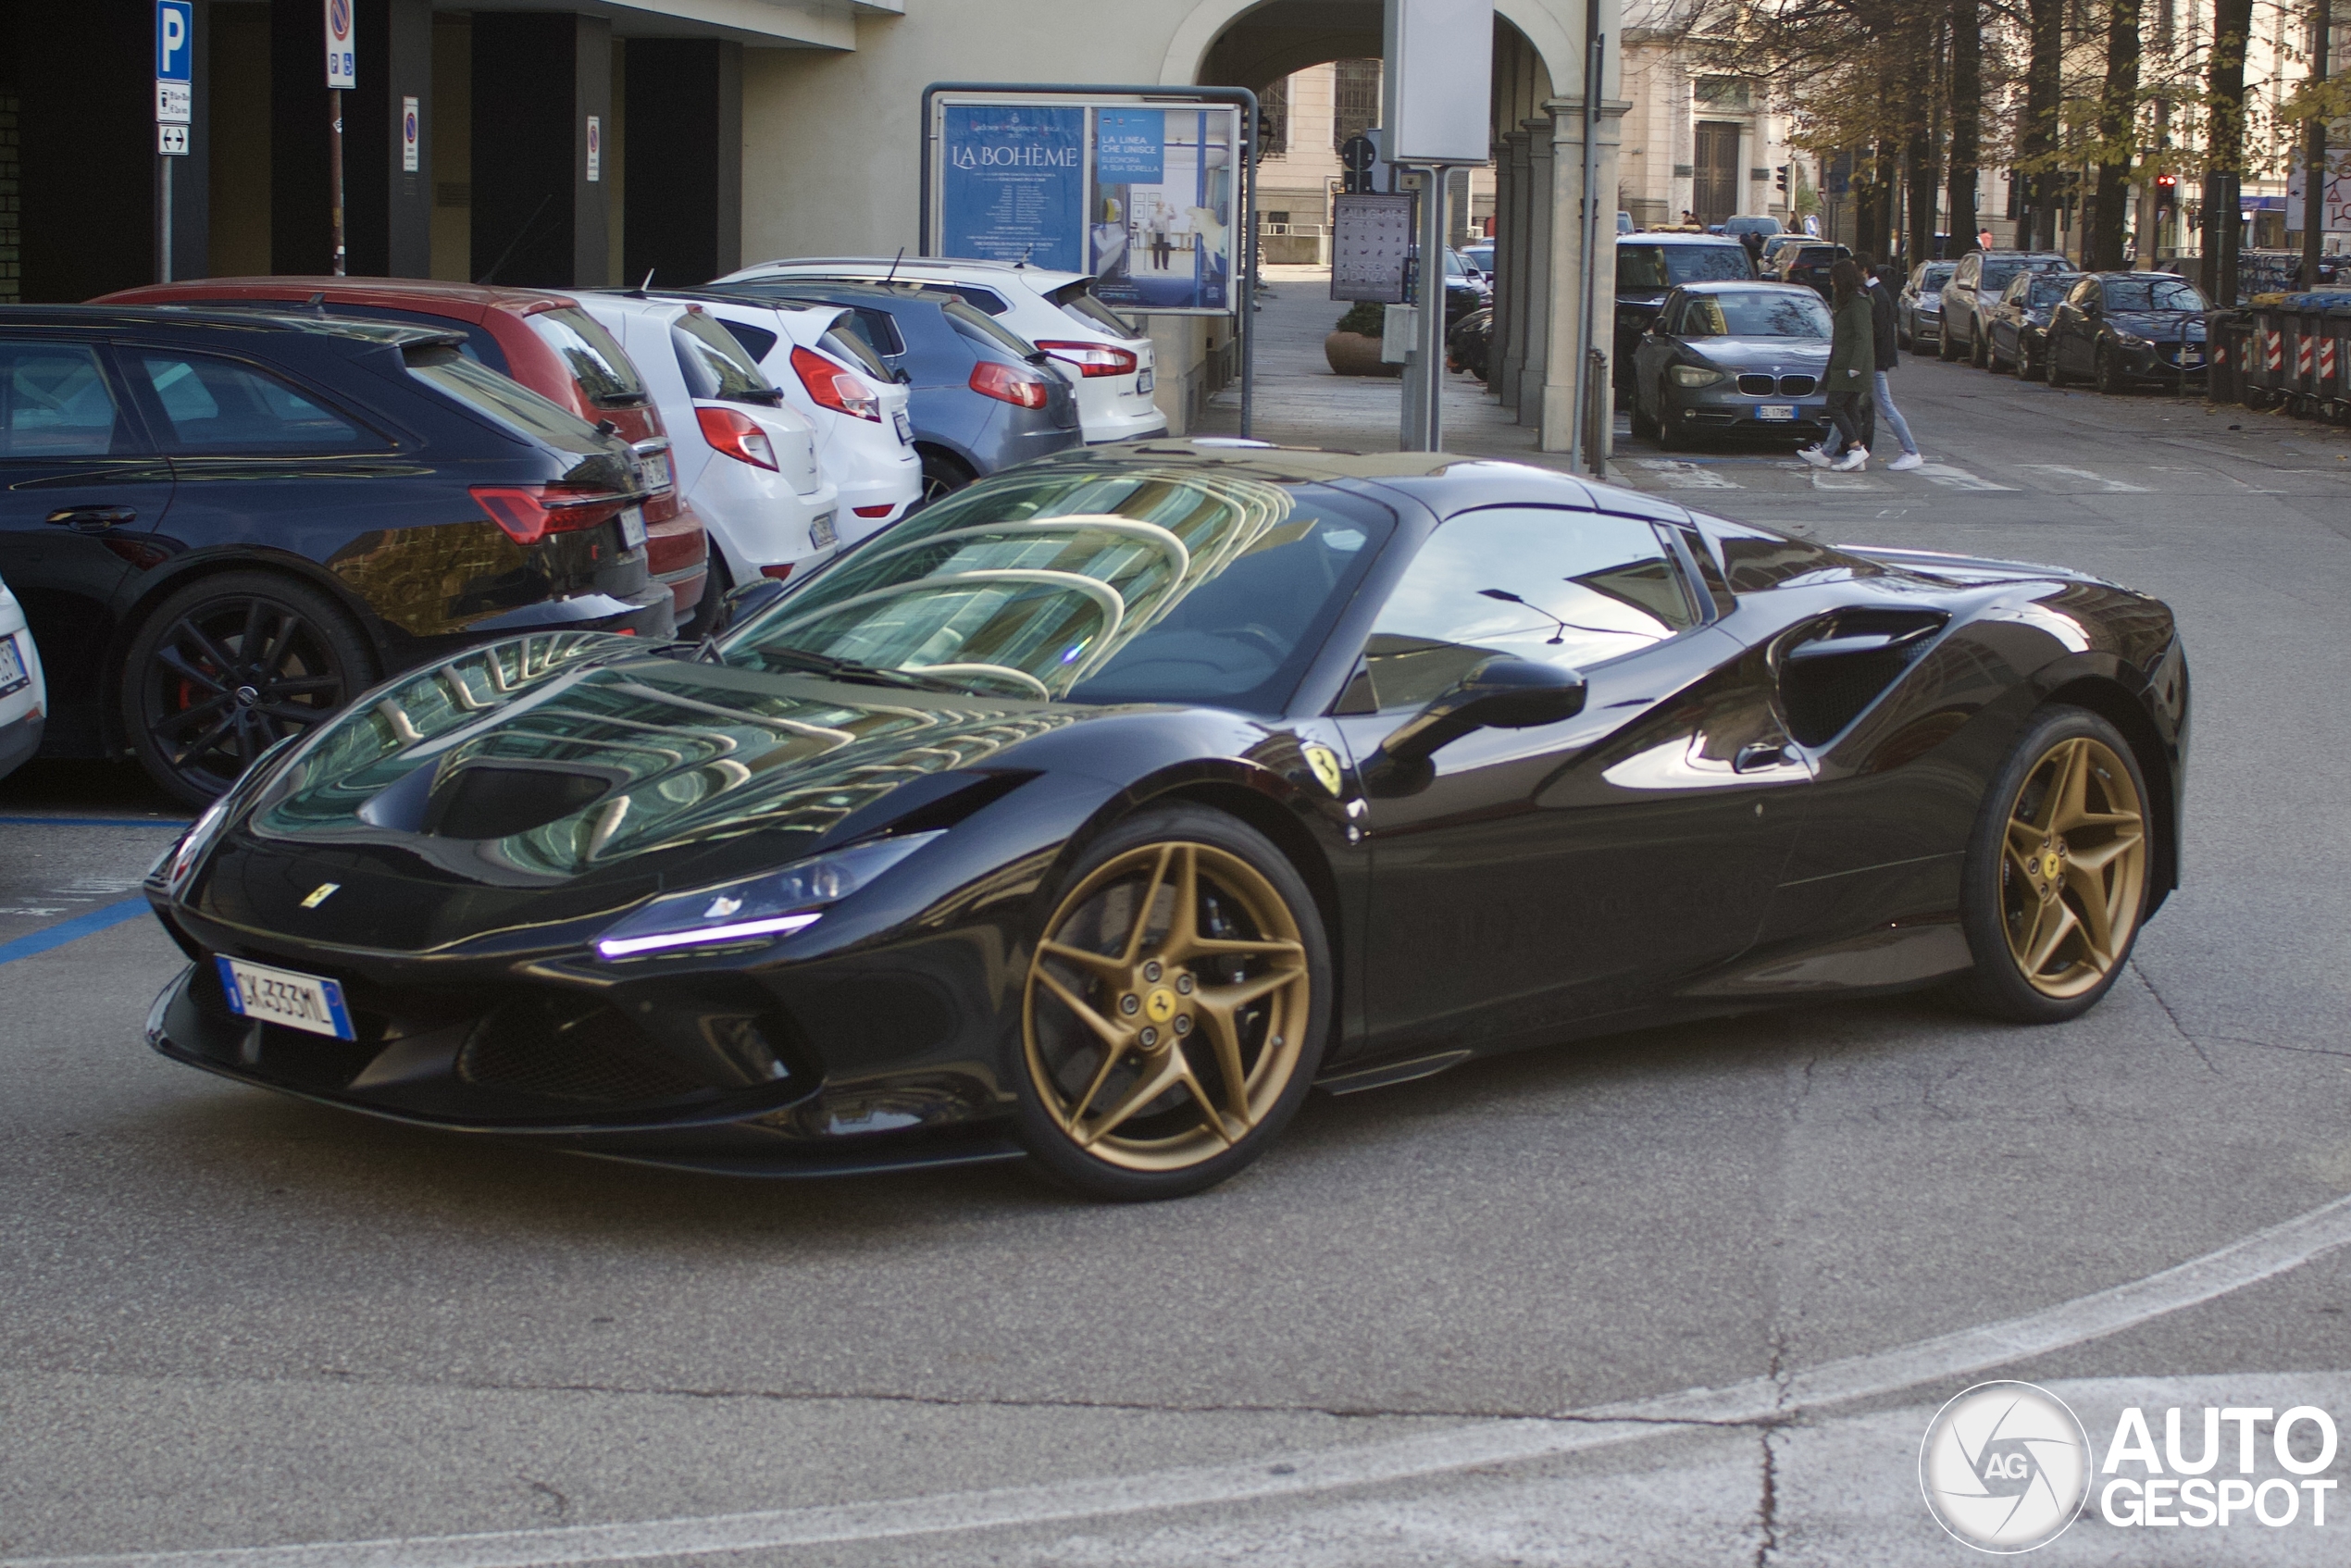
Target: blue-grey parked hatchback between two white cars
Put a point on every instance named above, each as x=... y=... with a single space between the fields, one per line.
x=982 y=398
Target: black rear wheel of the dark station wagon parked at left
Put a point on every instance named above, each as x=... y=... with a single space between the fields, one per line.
x=194 y=659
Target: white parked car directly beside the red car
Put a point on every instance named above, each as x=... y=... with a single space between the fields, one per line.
x=744 y=460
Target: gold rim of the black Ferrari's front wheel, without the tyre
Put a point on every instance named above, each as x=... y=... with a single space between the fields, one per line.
x=1167 y=1007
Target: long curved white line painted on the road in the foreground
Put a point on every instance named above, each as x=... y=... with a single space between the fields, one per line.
x=1506 y=1442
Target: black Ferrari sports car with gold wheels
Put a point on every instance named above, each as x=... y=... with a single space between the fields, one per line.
x=1111 y=805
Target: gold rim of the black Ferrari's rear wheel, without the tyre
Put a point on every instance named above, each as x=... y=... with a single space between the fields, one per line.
x=2075 y=869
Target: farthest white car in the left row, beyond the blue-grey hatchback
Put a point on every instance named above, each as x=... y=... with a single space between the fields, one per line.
x=1108 y=363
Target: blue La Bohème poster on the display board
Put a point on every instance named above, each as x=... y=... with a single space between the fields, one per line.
x=1014 y=185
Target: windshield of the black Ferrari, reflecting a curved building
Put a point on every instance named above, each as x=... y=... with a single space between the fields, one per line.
x=1134 y=587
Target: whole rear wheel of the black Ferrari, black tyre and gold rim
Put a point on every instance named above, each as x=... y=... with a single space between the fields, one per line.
x=2091 y=829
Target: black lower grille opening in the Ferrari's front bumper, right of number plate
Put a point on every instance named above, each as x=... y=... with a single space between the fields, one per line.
x=572 y=1052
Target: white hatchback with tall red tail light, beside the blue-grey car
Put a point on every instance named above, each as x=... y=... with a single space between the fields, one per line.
x=838 y=384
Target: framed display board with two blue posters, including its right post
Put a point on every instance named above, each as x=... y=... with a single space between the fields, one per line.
x=1148 y=189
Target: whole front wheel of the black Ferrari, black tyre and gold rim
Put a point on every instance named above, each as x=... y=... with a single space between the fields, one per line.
x=1153 y=1003
